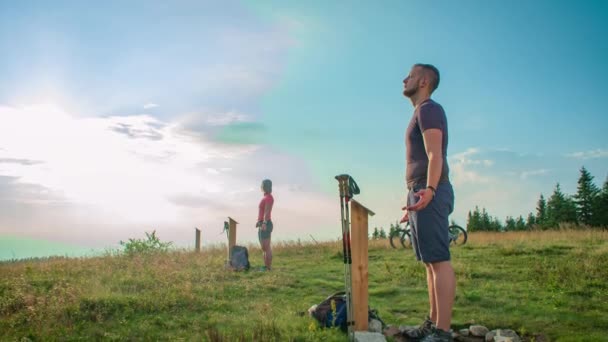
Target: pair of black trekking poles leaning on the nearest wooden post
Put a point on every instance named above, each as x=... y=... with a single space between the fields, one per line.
x=348 y=188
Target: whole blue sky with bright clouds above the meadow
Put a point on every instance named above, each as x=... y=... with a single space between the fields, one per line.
x=119 y=118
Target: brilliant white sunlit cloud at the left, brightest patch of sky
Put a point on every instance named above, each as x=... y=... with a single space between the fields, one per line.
x=125 y=165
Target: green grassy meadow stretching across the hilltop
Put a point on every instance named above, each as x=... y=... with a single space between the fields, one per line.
x=549 y=283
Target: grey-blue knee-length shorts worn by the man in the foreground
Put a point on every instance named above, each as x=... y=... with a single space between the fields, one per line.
x=429 y=226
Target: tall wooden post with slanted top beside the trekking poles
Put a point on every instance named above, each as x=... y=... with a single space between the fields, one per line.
x=359 y=267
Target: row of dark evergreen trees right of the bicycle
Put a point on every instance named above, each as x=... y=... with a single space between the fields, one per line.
x=589 y=207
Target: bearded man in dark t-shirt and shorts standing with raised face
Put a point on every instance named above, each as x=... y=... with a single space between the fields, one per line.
x=430 y=200
